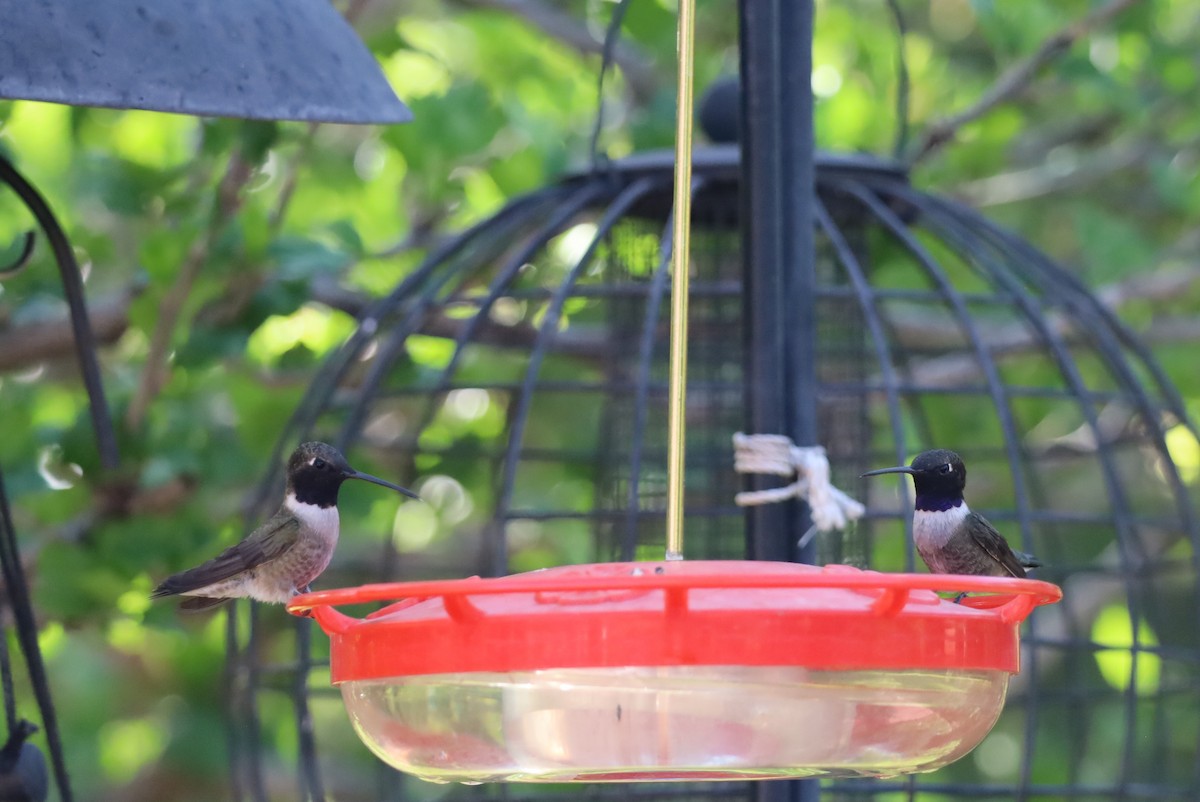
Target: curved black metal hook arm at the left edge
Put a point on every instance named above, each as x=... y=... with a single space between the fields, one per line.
x=73 y=288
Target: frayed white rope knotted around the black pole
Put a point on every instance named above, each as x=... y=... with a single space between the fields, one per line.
x=776 y=454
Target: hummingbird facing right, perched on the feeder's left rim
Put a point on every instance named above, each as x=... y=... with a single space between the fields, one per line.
x=283 y=556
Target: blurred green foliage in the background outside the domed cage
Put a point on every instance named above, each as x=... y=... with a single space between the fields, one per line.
x=215 y=252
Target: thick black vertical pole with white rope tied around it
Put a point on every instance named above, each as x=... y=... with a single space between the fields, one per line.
x=778 y=185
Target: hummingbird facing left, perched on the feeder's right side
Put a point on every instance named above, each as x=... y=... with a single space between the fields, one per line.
x=950 y=537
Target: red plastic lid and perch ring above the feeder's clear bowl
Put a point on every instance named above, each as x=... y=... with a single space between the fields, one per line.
x=683 y=613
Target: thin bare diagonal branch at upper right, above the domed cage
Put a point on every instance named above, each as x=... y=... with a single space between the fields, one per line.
x=1018 y=79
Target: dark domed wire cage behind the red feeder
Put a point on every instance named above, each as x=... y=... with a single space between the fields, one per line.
x=550 y=318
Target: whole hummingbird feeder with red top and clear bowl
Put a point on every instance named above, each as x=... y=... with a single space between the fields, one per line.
x=676 y=671
